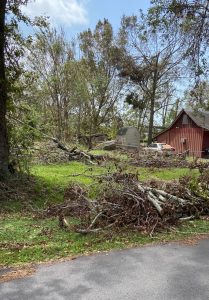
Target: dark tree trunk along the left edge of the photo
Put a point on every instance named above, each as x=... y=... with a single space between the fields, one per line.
x=4 y=148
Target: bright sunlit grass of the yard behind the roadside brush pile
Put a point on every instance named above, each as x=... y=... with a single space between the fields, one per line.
x=62 y=174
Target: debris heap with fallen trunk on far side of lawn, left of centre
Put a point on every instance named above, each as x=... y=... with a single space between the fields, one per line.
x=54 y=151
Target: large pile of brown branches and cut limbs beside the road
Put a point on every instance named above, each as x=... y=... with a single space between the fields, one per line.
x=125 y=202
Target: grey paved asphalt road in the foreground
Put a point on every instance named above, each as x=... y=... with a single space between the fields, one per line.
x=158 y=272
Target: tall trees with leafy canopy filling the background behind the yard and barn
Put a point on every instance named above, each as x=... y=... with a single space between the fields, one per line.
x=103 y=79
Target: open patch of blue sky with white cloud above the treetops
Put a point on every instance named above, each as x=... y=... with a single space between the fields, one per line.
x=78 y=15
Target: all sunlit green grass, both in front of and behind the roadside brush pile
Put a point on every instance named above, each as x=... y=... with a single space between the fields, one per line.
x=24 y=239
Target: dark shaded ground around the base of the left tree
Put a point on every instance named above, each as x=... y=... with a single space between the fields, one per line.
x=28 y=192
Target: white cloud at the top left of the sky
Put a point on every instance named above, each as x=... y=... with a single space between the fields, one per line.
x=68 y=12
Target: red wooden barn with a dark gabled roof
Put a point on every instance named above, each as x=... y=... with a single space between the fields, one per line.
x=188 y=132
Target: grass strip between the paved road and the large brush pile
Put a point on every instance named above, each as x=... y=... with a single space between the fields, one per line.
x=25 y=240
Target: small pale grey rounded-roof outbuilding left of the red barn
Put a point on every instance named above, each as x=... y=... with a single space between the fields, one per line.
x=128 y=137
